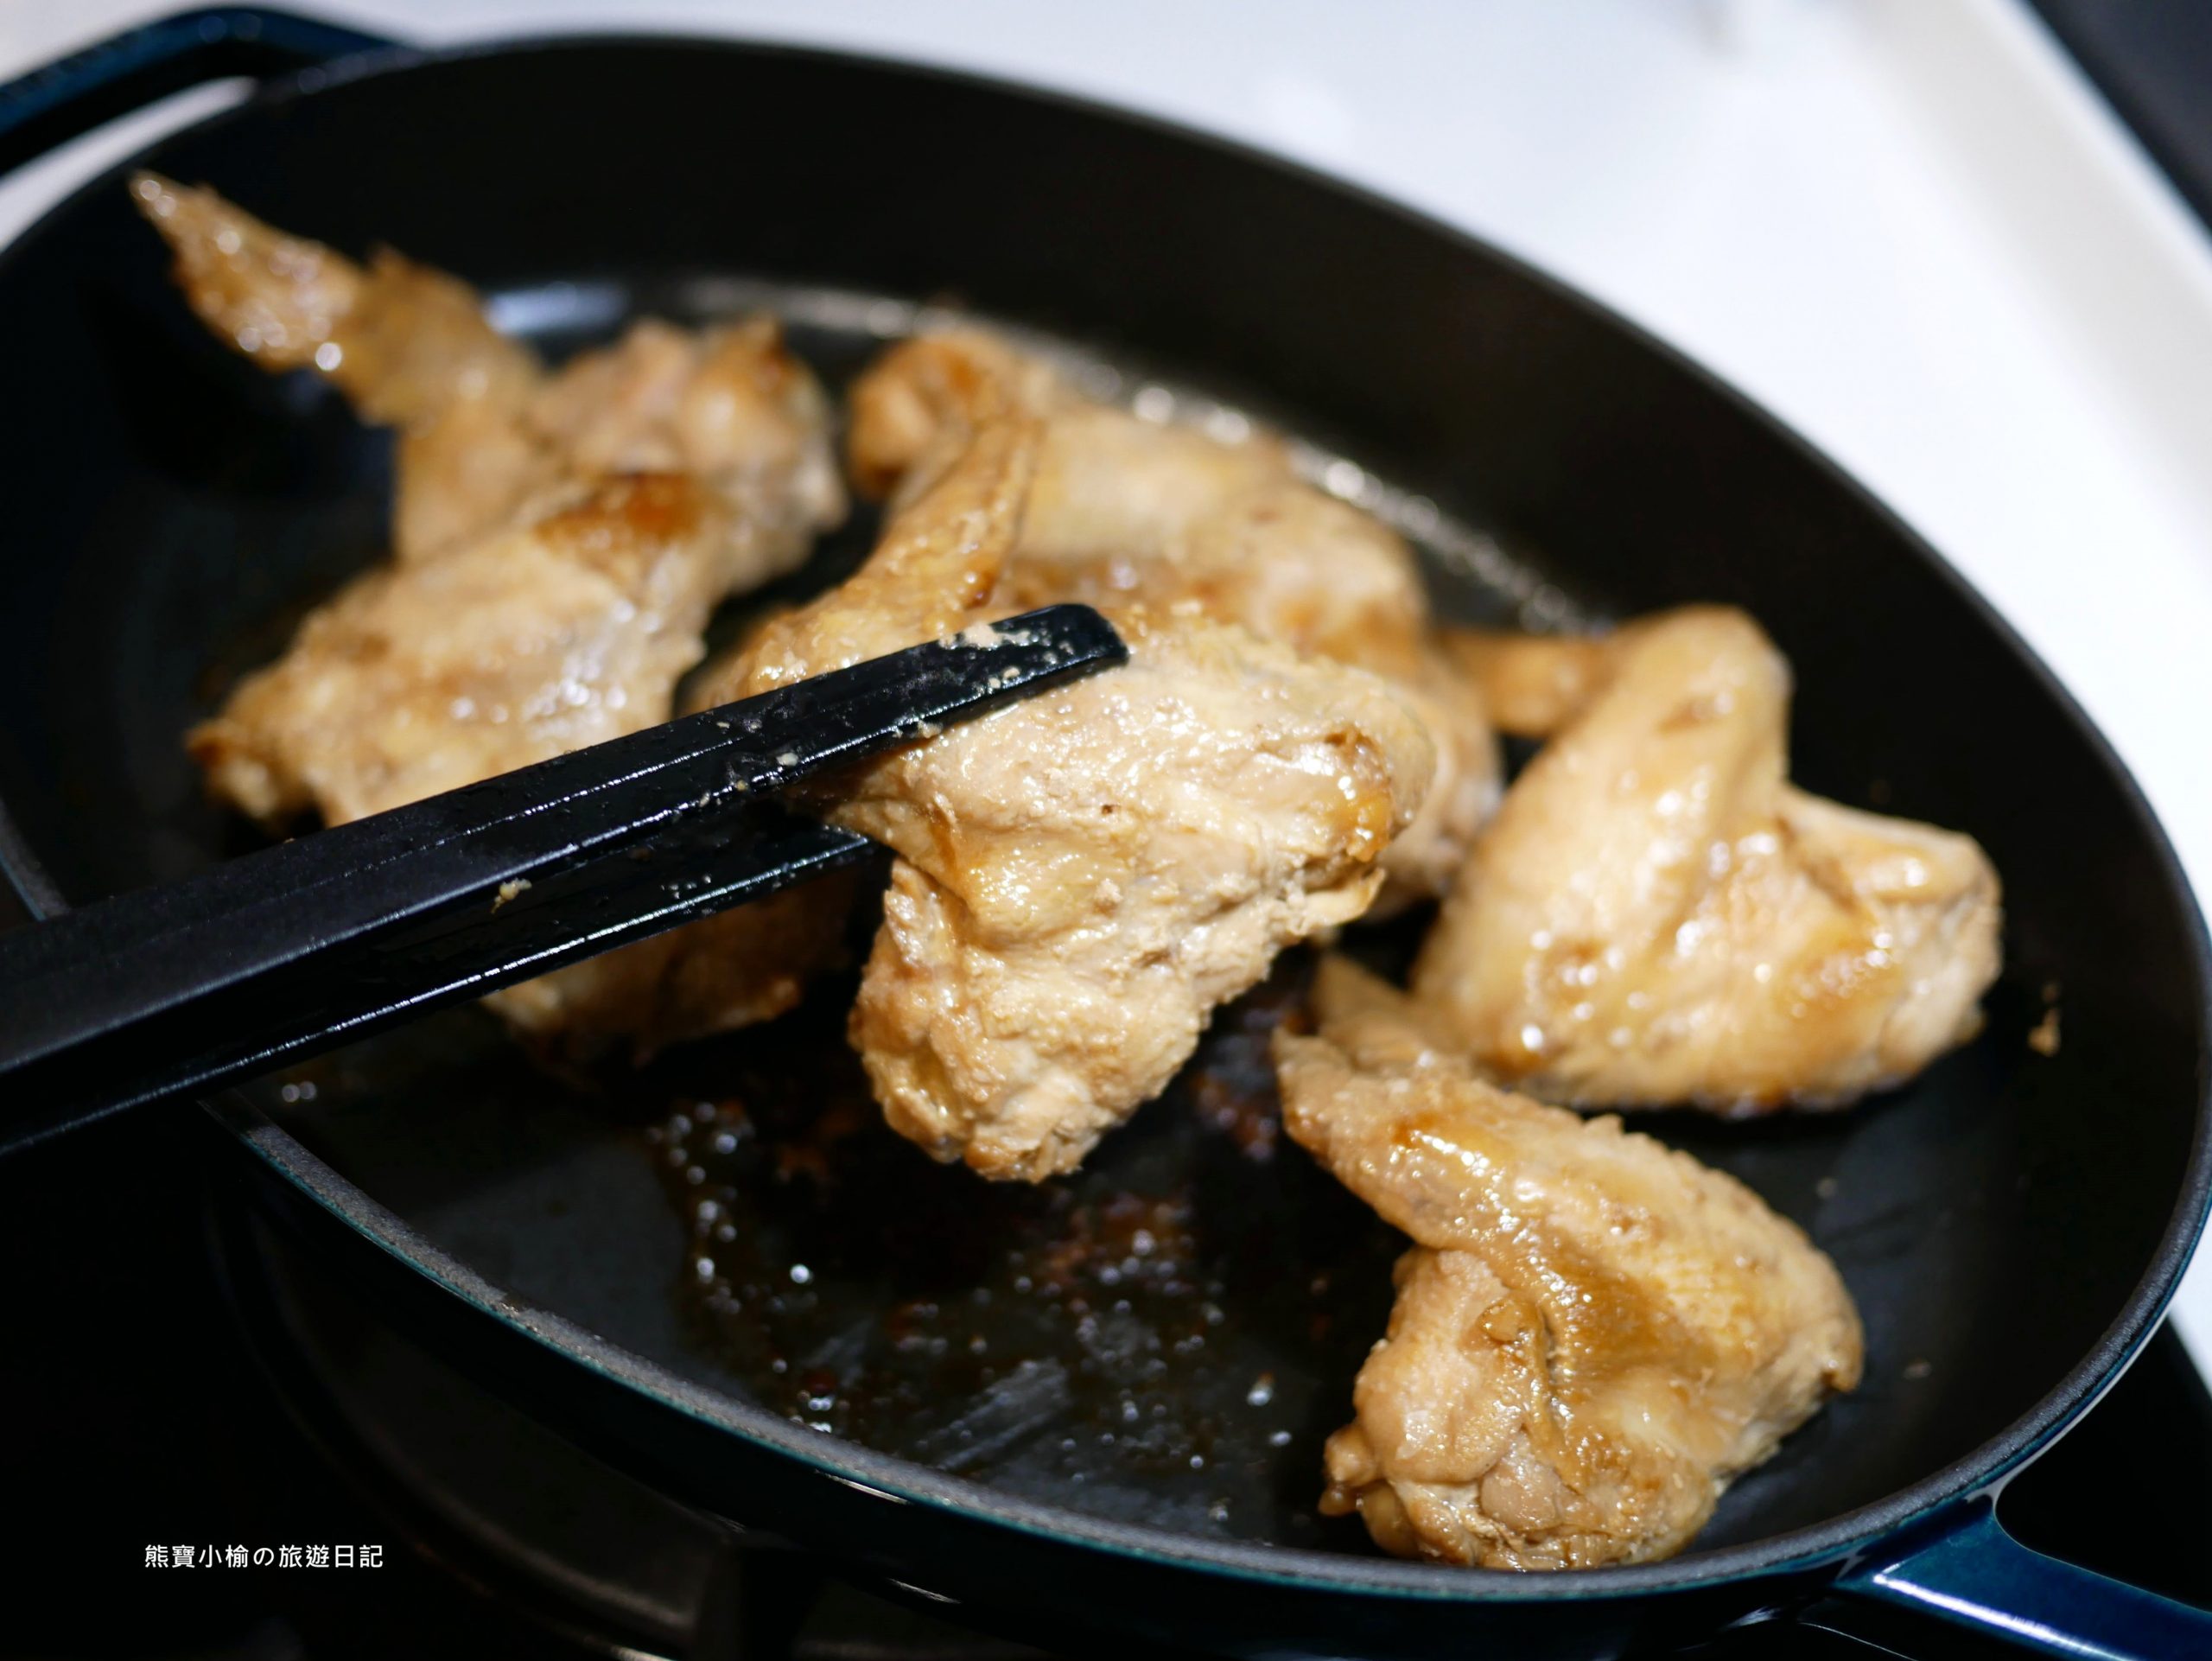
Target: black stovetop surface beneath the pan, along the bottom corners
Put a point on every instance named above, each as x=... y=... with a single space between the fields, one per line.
x=140 y=1423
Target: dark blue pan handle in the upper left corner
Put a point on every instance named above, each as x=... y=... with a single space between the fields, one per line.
x=143 y=65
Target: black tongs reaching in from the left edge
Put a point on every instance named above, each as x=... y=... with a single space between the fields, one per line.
x=320 y=941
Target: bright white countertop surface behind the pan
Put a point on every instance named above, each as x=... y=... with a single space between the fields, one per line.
x=1906 y=227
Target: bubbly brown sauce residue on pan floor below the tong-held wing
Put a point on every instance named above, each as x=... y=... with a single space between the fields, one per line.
x=1176 y=1326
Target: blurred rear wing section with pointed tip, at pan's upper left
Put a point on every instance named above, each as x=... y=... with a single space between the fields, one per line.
x=488 y=437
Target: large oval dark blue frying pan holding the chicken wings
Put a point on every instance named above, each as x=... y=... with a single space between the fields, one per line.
x=2012 y=1224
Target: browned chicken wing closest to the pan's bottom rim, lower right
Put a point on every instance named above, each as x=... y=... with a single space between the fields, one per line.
x=1592 y=1337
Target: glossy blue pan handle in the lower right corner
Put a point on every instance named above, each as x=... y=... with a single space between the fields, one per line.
x=1968 y=1571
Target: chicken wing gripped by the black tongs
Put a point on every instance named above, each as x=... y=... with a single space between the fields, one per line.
x=1087 y=875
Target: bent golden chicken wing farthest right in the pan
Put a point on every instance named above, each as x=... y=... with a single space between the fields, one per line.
x=1658 y=917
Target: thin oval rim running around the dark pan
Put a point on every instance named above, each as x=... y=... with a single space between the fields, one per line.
x=1286 y=1567
